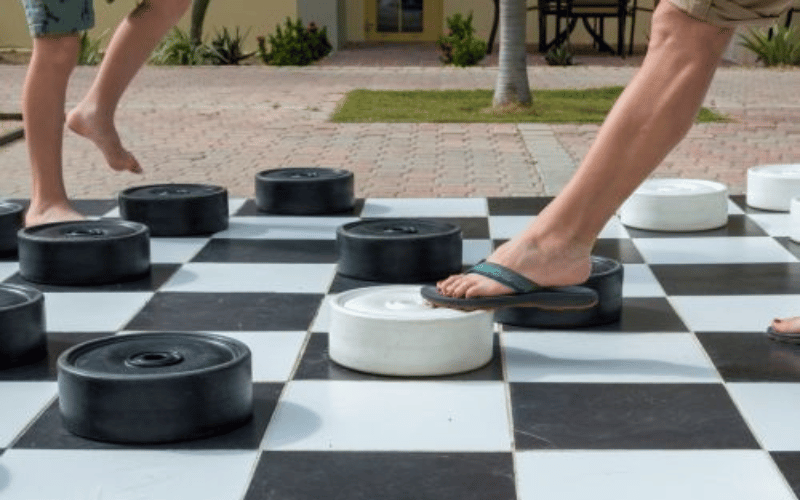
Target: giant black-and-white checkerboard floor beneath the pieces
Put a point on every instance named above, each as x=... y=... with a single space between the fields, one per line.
x=684 y=398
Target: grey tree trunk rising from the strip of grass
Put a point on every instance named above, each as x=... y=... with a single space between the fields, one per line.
x=512 y=85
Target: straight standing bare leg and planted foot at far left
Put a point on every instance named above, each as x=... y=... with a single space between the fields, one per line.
x=43 y=99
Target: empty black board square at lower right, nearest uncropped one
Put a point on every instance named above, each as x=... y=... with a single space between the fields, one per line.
x=626 y=416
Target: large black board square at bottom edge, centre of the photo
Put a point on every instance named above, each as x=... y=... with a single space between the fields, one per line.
x=388 y=476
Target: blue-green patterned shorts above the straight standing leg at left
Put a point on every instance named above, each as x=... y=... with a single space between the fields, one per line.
x=58 y=17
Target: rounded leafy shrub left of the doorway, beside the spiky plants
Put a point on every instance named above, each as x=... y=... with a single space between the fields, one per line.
x=294 y=45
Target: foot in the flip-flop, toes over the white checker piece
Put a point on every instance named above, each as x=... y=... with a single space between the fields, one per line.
x=545 y=267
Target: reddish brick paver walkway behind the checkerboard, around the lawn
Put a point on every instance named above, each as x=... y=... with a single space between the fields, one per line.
x=221 y=125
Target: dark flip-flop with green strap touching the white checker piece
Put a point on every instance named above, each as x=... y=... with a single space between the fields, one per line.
x=526 y=293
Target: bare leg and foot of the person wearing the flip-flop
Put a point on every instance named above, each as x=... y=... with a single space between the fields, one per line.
x=651 y=116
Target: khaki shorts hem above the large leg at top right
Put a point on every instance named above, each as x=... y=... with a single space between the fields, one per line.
x=732 y=13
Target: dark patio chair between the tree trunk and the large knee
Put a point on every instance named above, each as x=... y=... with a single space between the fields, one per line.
x=571 y=11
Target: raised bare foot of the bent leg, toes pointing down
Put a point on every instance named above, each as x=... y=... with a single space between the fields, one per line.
x=104 y=135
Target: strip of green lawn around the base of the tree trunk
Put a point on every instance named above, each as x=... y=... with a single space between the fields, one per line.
x=440 y=106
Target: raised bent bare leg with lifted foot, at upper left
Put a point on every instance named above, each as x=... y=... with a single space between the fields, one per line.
x=131 y=45
